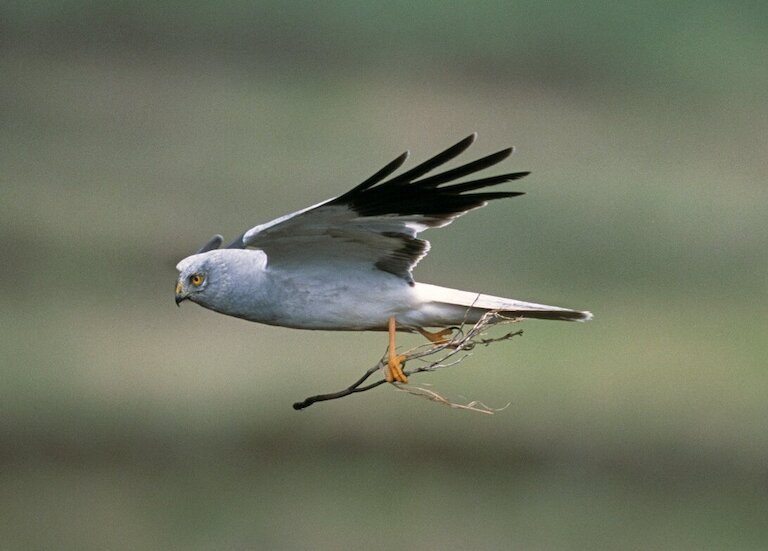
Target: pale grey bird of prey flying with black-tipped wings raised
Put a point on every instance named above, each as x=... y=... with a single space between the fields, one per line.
x=346 y=263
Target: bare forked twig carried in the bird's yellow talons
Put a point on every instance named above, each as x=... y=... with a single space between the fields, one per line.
x=457 y=349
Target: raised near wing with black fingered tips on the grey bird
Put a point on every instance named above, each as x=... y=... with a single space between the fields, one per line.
x=375 y=224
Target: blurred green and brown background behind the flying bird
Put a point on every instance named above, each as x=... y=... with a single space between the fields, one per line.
x=130 y=132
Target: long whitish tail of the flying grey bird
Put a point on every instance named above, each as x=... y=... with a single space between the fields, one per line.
x=443 y=307
